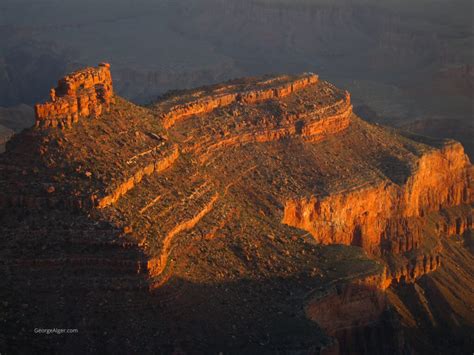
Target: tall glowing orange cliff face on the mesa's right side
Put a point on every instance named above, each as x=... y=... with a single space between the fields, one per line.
x=386 y=218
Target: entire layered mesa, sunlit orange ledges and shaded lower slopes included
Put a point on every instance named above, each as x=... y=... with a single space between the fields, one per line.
x=257 y=215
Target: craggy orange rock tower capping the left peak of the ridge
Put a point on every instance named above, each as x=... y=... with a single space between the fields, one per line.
x=85 y=93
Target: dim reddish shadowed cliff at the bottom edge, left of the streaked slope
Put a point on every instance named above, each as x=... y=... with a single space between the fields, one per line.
x=355 y=314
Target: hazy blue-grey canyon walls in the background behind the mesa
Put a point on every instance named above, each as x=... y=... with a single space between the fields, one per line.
x=406 y=65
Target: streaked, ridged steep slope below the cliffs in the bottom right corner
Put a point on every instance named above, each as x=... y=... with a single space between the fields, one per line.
x=441 y=304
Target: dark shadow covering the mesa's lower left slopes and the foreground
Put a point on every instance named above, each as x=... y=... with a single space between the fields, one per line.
x=71 y=272
